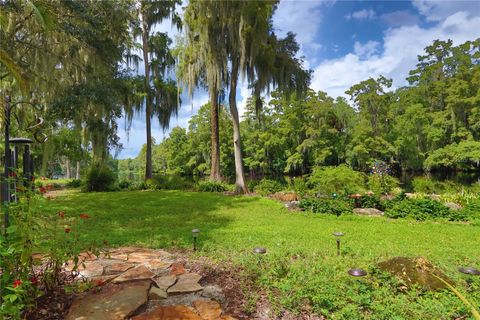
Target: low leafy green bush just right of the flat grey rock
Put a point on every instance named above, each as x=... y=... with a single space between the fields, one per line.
x=424 y=209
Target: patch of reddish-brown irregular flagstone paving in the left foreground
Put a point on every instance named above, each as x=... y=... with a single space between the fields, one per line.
x=143 y=284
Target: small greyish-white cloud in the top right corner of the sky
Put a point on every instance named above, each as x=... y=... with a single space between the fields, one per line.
x=439 y=10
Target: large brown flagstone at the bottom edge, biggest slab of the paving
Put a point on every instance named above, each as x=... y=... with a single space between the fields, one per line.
x=118 y=302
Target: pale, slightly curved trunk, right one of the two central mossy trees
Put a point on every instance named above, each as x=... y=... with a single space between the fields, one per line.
x=240 y=186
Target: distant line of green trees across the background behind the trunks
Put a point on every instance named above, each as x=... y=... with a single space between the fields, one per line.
x=434 y=123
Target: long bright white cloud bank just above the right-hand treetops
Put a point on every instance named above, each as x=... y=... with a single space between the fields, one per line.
x=401 y=47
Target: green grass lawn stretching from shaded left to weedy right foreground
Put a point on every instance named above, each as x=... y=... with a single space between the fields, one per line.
x=301 y=269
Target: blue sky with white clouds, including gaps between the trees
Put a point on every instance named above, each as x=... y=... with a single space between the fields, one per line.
x=345 y=42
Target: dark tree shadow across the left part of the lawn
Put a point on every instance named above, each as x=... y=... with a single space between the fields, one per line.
x=149 y=218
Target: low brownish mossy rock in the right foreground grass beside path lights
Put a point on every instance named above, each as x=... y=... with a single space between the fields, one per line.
x=416 y=271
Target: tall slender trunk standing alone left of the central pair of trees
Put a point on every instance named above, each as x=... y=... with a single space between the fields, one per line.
x=148 y=100
